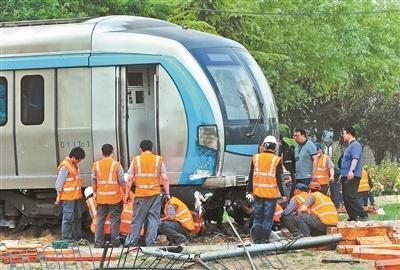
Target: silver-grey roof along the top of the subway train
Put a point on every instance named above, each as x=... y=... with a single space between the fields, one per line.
x=78 y=35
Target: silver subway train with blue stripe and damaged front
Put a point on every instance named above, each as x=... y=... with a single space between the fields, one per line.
x=200 y=98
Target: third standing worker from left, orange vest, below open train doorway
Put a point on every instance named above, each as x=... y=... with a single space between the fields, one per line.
x=147 y=172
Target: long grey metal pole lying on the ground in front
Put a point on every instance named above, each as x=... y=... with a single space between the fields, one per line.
x=276 y=246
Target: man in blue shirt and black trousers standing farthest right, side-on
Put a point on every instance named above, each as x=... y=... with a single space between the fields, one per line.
x=350 y=175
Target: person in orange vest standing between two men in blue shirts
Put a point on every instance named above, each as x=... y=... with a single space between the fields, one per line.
x=325 y=170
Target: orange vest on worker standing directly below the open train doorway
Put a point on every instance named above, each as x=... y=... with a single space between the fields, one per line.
x=147 y=174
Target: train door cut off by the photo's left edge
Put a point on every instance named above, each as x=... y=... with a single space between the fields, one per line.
x=7 y=155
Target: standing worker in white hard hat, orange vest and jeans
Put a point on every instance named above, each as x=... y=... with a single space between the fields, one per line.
x=264 y=188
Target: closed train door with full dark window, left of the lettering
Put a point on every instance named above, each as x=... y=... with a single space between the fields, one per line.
x=35 y=122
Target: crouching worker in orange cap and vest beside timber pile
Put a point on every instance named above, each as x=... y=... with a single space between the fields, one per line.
x=317 y=213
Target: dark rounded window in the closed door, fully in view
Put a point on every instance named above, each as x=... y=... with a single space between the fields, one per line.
x=32 y=100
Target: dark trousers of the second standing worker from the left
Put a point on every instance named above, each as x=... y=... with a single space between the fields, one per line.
x=115 y=220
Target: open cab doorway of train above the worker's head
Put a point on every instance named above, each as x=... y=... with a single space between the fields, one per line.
x=140 y=81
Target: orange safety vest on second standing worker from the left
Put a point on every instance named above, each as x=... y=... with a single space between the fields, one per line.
x=108 y=188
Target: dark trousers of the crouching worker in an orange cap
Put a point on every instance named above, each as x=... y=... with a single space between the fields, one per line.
x=308 y=225
